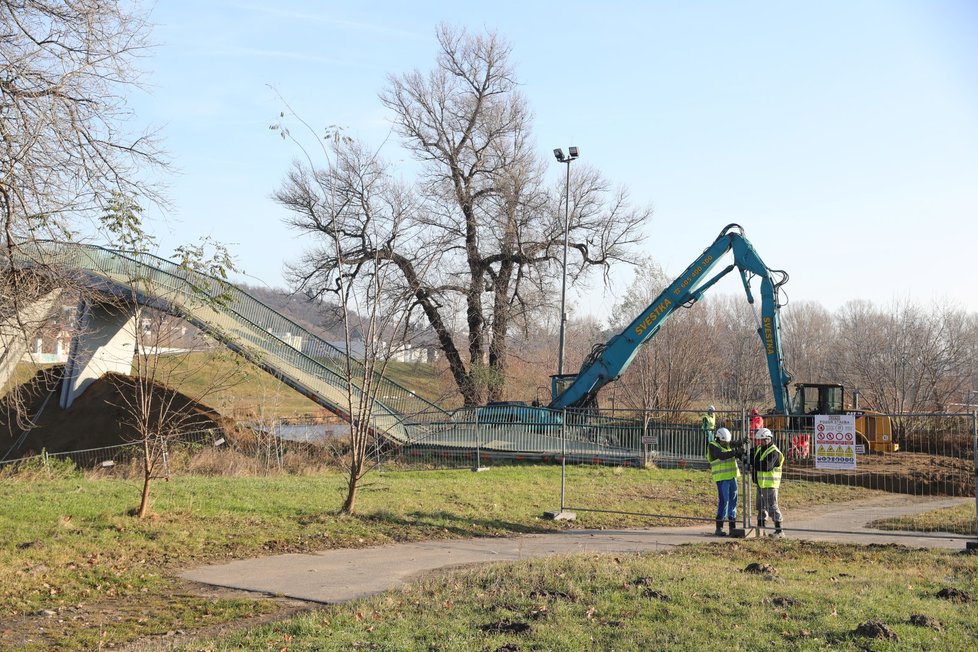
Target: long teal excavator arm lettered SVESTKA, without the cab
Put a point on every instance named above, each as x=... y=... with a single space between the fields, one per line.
x=608 y=361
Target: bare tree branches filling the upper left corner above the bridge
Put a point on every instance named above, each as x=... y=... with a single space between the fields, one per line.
x=64 y=146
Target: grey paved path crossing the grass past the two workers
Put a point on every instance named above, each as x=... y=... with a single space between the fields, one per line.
x=339 y=575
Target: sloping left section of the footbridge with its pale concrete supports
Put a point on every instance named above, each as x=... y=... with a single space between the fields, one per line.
x=106 y=338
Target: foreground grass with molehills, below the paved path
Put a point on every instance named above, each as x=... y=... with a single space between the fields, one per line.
x=757 y=595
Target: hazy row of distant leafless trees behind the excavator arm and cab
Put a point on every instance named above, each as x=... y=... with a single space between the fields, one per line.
x=900 y=358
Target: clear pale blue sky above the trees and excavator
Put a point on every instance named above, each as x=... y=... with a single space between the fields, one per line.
x=842 y=135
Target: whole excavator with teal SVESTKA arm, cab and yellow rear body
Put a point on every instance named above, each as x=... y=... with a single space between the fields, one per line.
x=609 y=360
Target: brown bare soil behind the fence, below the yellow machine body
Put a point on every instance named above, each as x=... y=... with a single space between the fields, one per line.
x=902 y=472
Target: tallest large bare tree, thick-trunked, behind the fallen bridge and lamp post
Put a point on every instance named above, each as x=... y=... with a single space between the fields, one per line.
x=483 y=234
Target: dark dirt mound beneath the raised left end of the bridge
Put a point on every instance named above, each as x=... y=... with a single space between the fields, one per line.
x=99 y=417
